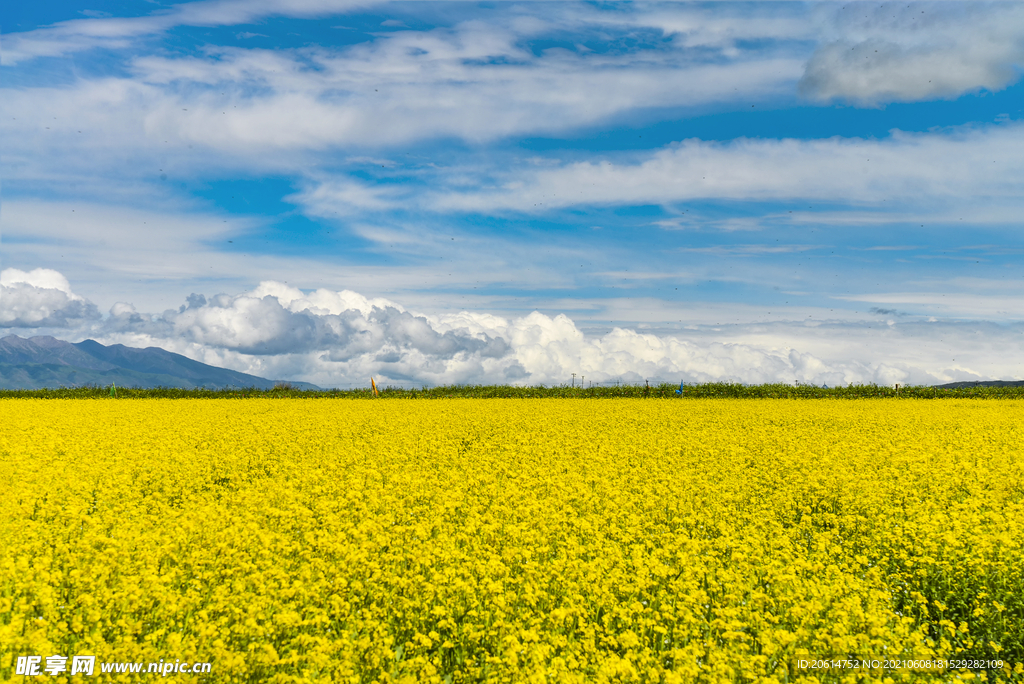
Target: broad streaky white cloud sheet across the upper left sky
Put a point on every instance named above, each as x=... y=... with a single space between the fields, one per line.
x=479 y=81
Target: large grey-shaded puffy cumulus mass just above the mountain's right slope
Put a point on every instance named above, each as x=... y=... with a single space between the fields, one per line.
x=332 y=336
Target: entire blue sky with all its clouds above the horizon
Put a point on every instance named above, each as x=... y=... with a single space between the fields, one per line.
x=458 y=192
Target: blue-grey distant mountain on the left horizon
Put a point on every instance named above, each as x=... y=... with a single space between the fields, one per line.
x=45 y=362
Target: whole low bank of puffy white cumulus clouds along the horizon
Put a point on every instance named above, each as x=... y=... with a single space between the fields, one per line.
x=340 y=338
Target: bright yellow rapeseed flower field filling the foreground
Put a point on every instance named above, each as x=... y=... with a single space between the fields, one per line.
x=516 y=541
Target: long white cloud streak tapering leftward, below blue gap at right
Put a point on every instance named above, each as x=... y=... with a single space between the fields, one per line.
x=964 y=164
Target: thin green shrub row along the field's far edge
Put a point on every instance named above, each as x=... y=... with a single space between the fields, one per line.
x=722 y=391
